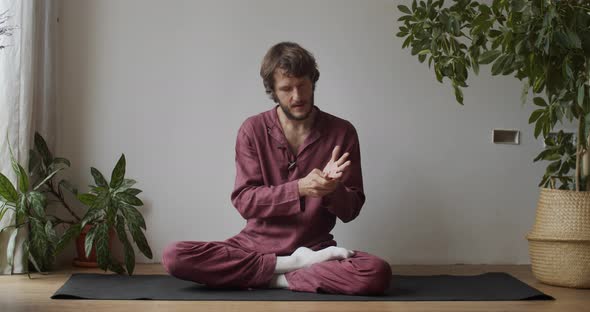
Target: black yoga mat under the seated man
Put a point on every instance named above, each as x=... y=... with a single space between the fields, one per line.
x=484 y=287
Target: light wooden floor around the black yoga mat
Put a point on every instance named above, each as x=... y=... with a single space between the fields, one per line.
x=18 y=293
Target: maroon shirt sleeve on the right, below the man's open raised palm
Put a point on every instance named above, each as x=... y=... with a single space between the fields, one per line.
x=348 y=198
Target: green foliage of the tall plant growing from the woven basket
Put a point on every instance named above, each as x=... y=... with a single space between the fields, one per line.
x=543 y=43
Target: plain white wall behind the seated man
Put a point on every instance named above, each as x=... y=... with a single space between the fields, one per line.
x=169 y=82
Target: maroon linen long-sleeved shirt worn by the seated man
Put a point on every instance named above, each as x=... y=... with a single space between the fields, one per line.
x=266 y=193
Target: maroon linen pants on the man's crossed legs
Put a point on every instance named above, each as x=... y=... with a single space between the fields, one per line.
x=226 y=265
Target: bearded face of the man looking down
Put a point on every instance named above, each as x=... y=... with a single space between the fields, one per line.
x=295 y=95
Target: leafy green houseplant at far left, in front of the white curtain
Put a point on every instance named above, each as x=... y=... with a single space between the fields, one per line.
x=29 y=199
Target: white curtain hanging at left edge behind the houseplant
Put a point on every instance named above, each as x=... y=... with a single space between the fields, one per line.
x=27 y=93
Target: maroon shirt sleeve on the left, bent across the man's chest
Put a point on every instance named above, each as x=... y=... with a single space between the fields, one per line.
x=251 y=197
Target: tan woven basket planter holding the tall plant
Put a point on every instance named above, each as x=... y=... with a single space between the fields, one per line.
x=559 y=243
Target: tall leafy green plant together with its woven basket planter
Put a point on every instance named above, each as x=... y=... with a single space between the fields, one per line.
x=546 y=45
